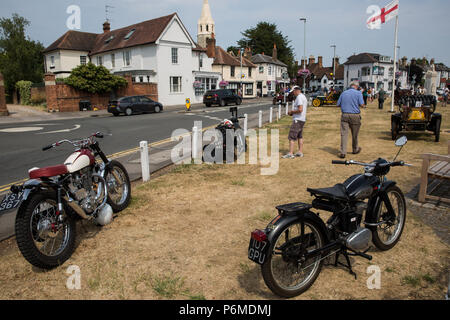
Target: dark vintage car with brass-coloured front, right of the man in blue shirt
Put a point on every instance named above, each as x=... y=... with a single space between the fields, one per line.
x=416 y=113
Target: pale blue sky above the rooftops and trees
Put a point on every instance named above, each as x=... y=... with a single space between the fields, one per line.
x=421 y=32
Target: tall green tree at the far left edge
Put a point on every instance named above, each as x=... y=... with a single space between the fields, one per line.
x=20 y=57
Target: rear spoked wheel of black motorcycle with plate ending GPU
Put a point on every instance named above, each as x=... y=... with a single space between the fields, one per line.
x=286 y=272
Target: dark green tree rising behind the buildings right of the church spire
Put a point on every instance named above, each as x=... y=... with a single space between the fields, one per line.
x=261 y=40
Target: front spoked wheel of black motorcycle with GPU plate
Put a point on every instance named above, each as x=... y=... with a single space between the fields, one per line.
x=388 y=233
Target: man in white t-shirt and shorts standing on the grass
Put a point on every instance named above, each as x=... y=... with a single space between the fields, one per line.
x=299 y=119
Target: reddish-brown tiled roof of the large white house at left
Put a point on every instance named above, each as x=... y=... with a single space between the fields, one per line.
x=144 y=33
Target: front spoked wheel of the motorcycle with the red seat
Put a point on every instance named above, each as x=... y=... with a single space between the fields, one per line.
x=119 y=187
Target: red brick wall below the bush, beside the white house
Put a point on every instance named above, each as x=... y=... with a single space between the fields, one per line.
x=64 y=98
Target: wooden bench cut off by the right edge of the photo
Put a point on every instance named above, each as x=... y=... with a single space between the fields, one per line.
x=440 y=169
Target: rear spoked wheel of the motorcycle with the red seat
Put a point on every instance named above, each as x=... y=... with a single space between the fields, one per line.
x=45 y=236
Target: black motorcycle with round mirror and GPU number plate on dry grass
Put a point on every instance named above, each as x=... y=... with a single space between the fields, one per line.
x=366 y=208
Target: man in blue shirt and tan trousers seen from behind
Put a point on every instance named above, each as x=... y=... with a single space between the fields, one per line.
x=350 y=102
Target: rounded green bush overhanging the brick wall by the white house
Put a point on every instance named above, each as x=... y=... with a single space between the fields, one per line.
x=94 y=79
